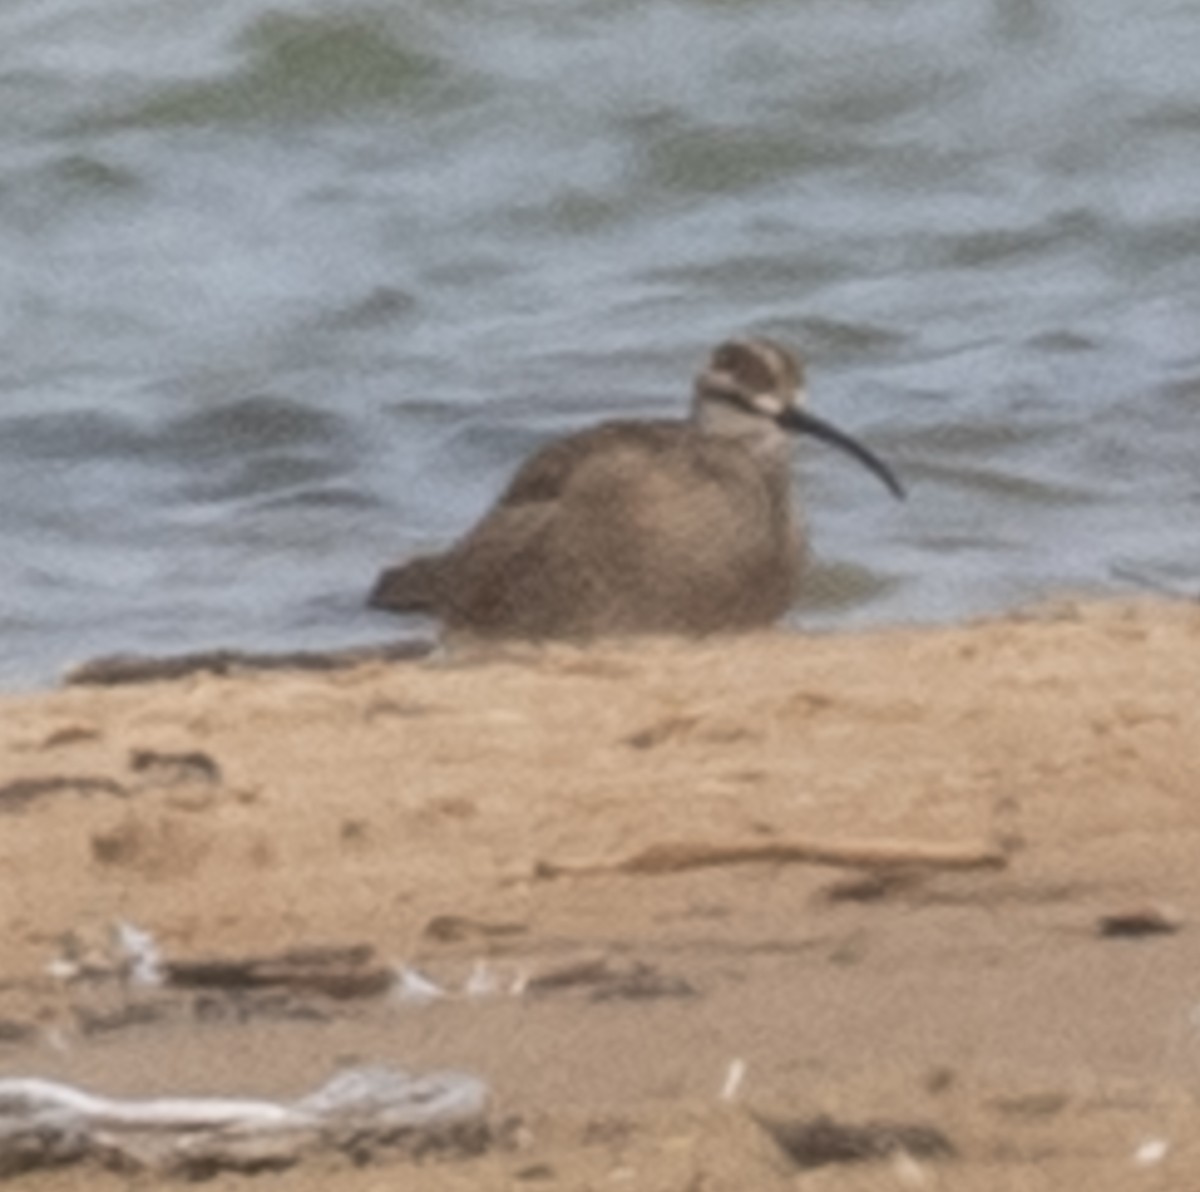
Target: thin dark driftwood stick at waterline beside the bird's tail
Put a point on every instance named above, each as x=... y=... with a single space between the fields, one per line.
x=118 y=669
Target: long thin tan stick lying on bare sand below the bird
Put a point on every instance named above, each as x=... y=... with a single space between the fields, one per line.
x=887 y=855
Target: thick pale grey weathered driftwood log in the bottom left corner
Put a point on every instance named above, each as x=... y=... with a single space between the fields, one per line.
x=359 y=1112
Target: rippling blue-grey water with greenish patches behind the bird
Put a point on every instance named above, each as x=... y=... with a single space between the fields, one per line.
x=290 y=290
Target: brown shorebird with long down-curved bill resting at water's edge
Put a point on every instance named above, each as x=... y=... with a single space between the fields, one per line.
x=643 y=528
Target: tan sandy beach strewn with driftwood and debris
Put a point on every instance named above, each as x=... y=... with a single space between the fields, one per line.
x=411 y=808
